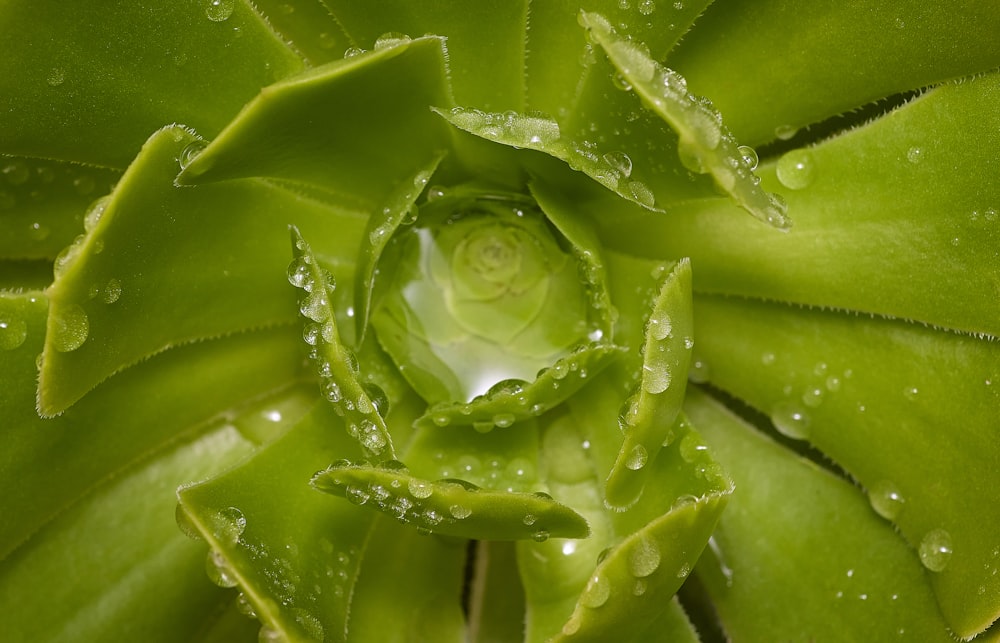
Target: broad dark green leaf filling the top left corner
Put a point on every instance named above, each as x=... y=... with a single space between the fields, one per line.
x=89 y=83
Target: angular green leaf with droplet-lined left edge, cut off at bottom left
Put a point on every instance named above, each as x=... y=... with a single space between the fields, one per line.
x=254 y=519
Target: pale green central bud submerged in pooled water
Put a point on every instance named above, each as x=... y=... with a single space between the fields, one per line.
x=479 y=291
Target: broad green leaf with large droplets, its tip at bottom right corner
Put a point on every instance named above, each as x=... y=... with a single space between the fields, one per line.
x=881 y=397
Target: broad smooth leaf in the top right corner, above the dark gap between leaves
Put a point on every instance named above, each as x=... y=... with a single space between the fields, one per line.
x=772 y=67
